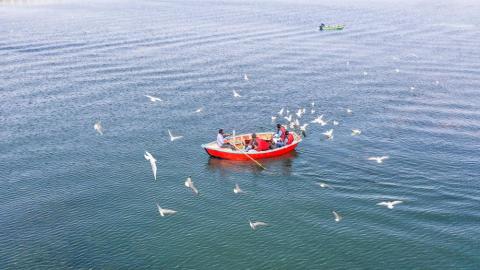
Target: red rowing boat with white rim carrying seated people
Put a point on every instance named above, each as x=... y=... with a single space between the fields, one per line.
x=240 y=141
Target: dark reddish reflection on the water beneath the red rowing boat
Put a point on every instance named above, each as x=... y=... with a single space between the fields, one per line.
x=274 y=166
